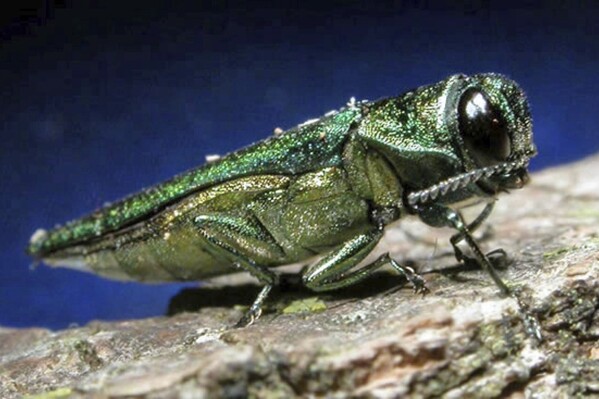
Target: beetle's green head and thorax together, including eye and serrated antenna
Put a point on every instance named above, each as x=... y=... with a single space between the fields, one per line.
x=463 y=136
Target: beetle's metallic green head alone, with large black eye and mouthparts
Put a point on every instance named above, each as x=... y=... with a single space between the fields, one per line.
x=493 y=119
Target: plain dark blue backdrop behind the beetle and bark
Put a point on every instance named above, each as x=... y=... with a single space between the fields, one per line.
x=99 y=101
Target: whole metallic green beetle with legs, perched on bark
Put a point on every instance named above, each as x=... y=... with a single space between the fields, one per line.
x=329 y=186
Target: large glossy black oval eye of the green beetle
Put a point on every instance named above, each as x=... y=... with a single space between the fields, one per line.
x=483 y=129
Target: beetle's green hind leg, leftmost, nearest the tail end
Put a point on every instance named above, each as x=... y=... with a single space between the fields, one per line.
x=233 y=237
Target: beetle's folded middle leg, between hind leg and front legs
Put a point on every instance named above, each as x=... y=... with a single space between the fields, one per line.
x=329 y=273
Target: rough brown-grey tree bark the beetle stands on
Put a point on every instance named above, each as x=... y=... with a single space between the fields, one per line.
x=462 y=340
